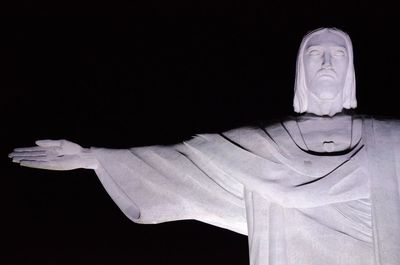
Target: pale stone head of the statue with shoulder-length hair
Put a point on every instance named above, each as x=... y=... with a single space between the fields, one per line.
x=325 y=78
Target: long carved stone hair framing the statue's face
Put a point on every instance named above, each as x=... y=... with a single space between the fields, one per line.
x=300 y=101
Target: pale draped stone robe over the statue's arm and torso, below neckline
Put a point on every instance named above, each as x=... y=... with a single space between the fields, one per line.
x=297 y=208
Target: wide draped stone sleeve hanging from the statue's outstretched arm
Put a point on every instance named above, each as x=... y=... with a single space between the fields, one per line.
x=157 y=184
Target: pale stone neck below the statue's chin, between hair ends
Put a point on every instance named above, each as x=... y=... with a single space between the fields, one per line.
x=324 y=107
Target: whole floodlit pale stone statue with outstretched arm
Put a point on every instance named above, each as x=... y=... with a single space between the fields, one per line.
x=318 y=188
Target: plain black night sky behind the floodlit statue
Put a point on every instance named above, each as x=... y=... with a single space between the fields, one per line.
x=124 y=74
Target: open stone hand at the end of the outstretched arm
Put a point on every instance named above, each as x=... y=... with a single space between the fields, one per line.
x=54 y=155
